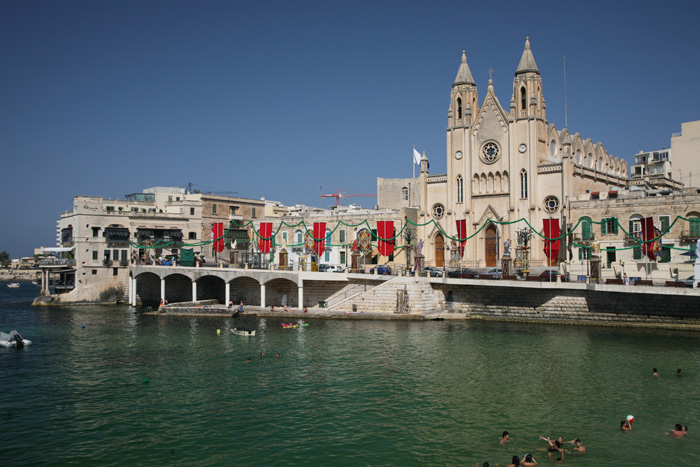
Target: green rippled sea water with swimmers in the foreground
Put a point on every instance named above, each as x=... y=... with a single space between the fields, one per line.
x=134 y=390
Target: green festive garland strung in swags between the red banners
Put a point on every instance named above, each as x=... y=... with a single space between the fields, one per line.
x=249 y=224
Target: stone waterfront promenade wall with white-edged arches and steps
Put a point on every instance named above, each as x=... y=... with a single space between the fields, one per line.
x=201 y=291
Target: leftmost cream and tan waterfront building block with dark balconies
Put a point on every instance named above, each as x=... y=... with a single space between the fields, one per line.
x=101 y=233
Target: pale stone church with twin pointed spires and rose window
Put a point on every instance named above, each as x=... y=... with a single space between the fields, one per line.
x=503 y=164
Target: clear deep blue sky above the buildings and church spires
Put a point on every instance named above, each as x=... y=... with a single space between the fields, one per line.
x=288 y=100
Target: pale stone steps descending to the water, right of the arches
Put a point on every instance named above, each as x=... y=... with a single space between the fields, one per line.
x=401 y=295
